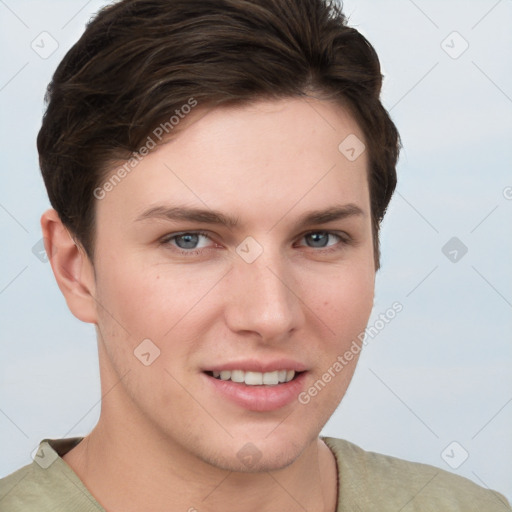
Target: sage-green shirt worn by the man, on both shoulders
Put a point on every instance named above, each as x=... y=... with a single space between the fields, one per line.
x=367 y=482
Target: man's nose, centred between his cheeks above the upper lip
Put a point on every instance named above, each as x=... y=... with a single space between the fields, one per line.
x=263 y=298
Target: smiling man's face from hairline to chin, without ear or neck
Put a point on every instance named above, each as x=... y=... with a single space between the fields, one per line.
x=269 y=294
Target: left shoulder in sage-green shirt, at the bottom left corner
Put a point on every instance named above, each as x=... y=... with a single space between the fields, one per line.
x=46 y=485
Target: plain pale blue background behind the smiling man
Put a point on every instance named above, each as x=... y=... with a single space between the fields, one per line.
x=441 y=371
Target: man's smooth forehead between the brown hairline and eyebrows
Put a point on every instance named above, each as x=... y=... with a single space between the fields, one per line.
x=267 y=158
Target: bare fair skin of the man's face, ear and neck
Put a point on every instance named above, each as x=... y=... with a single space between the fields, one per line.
x=165 y=436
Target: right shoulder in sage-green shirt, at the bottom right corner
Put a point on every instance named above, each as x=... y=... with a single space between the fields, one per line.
x=368 y=479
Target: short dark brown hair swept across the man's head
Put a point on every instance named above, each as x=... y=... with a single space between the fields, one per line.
x=140 y=60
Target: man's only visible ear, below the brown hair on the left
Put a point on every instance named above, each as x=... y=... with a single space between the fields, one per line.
x=71 y=266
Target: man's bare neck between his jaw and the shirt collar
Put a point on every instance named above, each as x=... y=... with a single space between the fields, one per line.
x=127 y=464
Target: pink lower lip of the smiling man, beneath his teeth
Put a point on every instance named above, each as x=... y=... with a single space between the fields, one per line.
x=259 y=398
